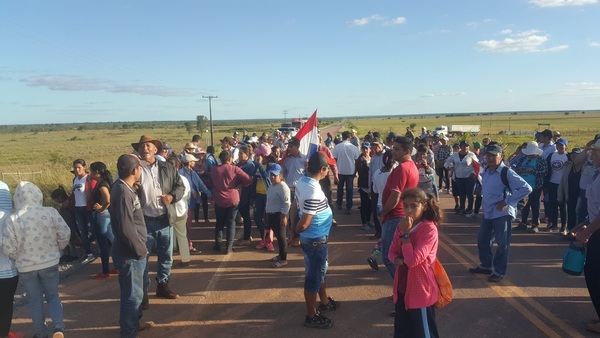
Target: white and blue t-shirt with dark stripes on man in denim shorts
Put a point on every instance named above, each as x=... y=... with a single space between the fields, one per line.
x=312 y=200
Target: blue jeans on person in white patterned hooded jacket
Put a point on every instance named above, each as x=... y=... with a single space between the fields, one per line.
x=43 y=284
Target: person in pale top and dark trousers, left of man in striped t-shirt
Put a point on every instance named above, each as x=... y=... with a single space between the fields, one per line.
x=278 y=207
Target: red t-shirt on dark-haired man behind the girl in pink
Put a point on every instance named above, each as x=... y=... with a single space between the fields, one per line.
x=404 y=176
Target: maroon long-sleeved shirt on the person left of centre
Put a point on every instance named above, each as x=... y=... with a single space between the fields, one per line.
x=227 y=179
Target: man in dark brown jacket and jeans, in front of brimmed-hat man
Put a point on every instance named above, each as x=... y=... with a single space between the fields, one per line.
x=129 y=249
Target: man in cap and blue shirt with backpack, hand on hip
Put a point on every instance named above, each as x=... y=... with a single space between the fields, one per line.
x=499 y=209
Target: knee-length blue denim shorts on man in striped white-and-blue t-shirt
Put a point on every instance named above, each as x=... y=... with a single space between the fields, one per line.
x=315 y=262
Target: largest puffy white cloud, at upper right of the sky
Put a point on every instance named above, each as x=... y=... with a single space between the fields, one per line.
x=527 y=41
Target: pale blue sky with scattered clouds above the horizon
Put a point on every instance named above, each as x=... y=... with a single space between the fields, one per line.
x=93 y=61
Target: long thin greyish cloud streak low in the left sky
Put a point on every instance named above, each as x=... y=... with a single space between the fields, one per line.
x=76 y=83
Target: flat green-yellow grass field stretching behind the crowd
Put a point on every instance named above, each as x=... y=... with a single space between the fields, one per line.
x=51 y=153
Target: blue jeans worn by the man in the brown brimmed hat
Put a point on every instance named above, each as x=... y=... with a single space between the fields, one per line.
x=160 y=237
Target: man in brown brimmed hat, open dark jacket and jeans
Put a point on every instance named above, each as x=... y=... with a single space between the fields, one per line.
x=160 y=188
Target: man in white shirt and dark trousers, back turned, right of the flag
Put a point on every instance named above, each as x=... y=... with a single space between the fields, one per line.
x=346 y=154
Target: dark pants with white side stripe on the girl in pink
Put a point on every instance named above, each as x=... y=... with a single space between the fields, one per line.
x=411 y=323
